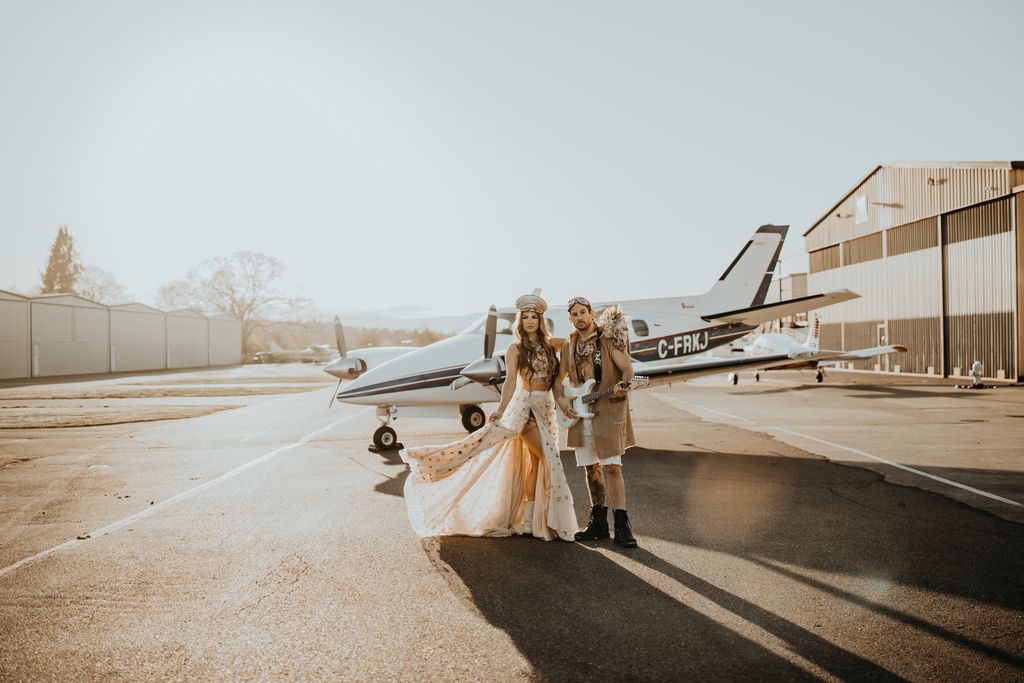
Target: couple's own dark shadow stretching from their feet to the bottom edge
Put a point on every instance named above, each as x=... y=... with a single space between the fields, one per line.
x=580 y=613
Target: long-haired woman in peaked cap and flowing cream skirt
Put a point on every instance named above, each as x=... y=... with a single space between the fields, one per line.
x=507 y=478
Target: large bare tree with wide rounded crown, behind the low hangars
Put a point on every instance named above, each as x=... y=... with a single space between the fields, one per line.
x=244 y=285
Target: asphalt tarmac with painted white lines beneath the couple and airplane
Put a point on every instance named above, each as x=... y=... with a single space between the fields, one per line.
x=266 y=542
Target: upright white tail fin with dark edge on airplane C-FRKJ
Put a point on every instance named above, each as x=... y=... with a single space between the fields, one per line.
x=745 y=284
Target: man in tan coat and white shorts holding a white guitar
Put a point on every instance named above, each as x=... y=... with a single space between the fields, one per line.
x=601 y=354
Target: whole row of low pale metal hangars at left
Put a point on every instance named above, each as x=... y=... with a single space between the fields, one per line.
x=63 y=334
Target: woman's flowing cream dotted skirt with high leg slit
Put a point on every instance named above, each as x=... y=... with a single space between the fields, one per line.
x=477 y=487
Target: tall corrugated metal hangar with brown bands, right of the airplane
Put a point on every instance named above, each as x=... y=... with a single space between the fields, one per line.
x=936 y=252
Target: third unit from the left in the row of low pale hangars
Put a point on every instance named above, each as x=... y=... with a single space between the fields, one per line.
x=139 y=338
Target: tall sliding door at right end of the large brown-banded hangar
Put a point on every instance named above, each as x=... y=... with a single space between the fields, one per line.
x=979 y=285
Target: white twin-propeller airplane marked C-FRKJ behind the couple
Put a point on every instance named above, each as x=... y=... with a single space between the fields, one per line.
x=450 y=378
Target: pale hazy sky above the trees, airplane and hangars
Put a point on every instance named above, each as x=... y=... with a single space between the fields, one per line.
x=454 y=155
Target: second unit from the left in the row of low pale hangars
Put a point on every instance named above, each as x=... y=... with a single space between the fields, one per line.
x=70 y=336
